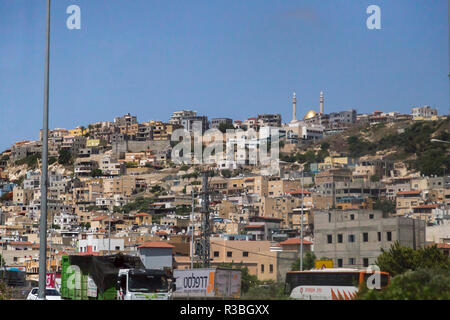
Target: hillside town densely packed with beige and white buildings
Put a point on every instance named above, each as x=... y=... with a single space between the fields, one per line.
x=344 y=187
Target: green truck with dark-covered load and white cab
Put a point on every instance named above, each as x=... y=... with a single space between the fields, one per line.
x=116 y=277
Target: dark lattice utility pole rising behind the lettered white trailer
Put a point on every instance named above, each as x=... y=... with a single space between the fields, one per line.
x=206 y=224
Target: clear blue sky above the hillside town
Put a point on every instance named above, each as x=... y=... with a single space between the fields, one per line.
x=222 y=58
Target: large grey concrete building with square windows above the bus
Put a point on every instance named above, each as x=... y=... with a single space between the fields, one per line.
x=355 y=238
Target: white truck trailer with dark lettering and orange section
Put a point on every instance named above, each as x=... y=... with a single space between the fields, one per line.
x=212 y=283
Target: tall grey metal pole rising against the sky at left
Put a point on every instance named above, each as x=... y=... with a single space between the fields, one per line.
x=43 y=218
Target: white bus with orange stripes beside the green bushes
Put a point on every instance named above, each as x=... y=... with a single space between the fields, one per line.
x=330 y=284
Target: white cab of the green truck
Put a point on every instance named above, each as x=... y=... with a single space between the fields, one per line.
x=141 y=284
